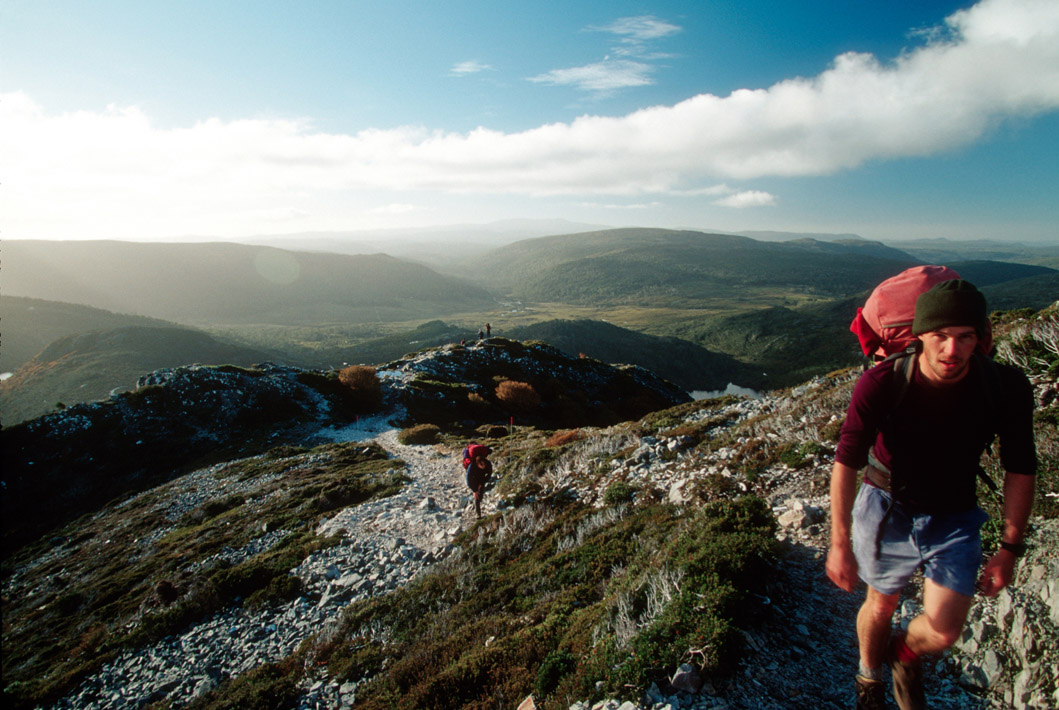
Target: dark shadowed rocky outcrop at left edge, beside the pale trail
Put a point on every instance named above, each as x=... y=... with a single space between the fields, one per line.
x=67 y=464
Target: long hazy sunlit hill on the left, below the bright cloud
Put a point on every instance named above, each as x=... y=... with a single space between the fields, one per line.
x=230 y=283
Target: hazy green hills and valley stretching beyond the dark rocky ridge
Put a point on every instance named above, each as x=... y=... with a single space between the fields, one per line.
x=84 y=319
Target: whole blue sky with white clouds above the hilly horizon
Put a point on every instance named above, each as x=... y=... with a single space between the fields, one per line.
x=891 y=119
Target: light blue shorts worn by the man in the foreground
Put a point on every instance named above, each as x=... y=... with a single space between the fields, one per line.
x=948 y=546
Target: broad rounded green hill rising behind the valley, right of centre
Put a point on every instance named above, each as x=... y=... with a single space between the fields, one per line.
x=657 y=268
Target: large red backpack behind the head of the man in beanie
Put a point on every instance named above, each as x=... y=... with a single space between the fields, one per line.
x=884 y=325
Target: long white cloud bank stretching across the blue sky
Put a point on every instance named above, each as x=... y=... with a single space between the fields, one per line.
x=996 y=61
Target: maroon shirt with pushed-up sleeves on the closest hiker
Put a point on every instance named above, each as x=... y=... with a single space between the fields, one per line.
x=935 y=439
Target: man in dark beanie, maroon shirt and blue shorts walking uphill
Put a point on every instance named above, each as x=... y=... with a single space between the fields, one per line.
x=917 y=507
